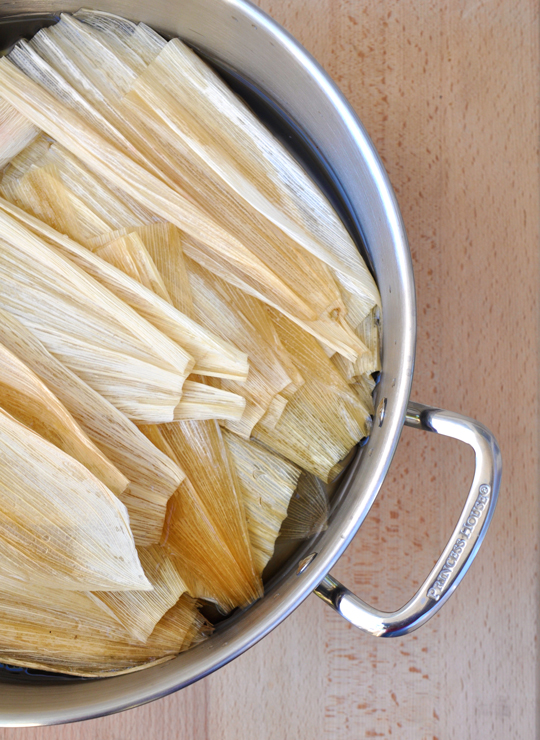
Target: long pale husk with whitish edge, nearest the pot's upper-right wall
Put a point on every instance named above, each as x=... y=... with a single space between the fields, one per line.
x=273 y=181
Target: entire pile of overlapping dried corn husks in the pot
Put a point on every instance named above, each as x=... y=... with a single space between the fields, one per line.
x=188 y=337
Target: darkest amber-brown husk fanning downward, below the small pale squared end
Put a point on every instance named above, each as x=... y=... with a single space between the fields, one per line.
x=212 y=501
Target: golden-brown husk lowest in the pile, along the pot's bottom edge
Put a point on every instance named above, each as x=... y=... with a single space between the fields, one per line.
x=96 y=654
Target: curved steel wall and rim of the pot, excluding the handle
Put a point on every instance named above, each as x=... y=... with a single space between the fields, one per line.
x=243 y=38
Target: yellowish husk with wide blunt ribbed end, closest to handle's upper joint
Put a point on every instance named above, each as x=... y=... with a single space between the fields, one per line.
x=324 y=419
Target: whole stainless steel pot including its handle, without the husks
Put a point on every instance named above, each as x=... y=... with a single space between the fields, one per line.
x=272 y=68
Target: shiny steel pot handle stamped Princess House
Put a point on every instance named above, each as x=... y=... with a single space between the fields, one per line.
x=460 y=550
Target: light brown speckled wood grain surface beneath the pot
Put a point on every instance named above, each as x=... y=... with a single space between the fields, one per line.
x=448 y=91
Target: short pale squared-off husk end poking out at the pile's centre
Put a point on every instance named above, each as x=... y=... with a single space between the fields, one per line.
x=201 y=401
